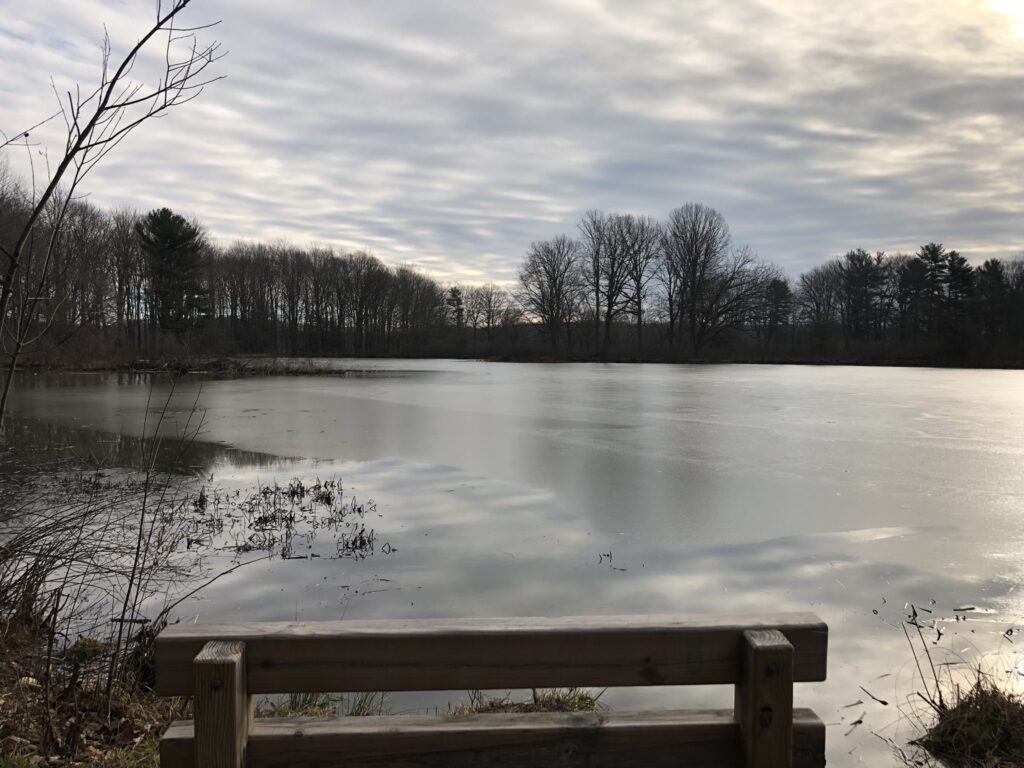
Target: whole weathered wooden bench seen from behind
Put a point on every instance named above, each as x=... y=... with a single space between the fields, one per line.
x=223 y=666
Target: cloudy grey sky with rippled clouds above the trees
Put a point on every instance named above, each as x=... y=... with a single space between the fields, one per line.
x=451 y=134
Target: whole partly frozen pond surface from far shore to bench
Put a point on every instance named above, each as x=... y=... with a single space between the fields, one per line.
x=537 y=490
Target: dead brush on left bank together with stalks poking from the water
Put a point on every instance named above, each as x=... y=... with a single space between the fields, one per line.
x=93 y=565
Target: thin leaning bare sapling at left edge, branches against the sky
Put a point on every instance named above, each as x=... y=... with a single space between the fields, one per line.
x=97 y=122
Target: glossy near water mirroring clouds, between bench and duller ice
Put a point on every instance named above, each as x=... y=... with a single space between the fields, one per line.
x=473 y=547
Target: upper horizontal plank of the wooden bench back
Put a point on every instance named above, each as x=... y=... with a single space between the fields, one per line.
x=458 y=655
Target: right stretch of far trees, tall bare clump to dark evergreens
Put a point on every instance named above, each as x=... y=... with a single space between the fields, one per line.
x=702 y=297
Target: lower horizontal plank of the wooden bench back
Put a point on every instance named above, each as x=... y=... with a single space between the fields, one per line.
x=654 y=740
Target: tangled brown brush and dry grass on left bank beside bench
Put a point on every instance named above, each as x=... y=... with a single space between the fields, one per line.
x=83 y=557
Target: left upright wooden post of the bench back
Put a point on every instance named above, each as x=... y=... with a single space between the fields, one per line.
x=222 y=704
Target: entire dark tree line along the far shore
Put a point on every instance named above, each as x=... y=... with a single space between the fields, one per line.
x=127 y=286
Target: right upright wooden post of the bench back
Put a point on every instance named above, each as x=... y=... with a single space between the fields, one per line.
x=764 y=700
